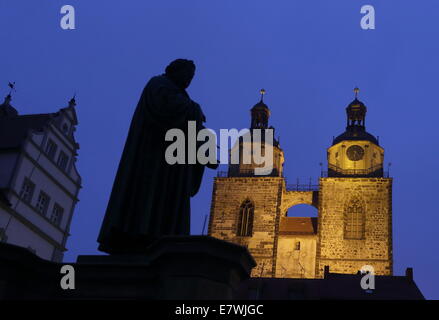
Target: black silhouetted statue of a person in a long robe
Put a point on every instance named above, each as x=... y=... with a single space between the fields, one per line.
x=151 y=198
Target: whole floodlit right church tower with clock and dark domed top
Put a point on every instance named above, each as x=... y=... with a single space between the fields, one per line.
x=355 y=202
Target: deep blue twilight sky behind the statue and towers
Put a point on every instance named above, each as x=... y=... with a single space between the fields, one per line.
x=307 y=54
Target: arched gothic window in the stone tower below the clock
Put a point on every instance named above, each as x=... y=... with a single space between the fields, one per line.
x=354 y=220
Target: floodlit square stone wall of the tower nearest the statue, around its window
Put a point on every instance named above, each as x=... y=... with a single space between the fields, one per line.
x=265 y=193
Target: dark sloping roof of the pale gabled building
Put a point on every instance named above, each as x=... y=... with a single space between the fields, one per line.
x=13 y=130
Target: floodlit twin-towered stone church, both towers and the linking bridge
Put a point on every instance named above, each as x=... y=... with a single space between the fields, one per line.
x=353 y=198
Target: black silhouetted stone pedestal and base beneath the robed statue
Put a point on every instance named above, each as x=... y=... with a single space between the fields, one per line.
x=177 y=267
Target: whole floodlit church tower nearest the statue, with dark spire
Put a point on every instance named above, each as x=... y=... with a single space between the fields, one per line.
x=245 y=205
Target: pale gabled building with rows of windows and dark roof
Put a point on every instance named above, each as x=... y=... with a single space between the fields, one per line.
x=39 y=182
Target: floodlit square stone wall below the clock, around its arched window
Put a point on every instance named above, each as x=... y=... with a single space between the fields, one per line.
x=349 y=255
